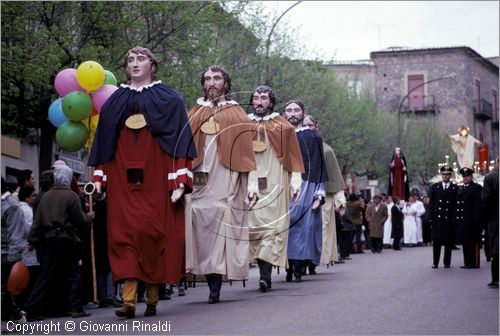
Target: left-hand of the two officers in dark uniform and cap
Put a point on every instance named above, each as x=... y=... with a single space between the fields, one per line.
x=442 y=200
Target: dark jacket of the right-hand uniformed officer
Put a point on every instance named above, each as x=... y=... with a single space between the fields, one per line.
x=469 y=212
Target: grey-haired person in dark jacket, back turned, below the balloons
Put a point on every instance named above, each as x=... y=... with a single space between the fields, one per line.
x=55 y=235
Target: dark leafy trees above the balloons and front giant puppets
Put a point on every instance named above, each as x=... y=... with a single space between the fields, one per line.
x=41 y=38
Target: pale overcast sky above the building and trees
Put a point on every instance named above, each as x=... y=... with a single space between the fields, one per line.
x=350 y=30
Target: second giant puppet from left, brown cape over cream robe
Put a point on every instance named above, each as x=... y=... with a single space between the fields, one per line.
x=225 y=185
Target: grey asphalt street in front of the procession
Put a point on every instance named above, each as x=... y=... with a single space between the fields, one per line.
x=392 y=293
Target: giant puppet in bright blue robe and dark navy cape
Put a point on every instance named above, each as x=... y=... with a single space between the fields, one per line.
x=306 y=227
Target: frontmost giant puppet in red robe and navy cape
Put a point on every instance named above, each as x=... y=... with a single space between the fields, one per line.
x=143 y=156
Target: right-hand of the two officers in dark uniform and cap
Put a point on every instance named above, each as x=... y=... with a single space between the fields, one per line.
x=468 y=218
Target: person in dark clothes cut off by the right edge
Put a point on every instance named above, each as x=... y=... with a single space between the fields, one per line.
x=490 y=199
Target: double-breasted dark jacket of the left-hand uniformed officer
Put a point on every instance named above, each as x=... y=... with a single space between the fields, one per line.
x=441 y=211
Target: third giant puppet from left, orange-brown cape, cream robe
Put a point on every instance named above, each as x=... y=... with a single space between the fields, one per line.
x=279 y=168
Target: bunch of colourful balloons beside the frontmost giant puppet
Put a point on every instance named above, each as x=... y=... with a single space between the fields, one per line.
x=83 y=92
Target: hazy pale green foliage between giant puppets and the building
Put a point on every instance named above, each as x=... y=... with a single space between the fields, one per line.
x=348 y=123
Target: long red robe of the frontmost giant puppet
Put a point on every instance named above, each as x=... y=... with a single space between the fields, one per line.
x=146 y=231
